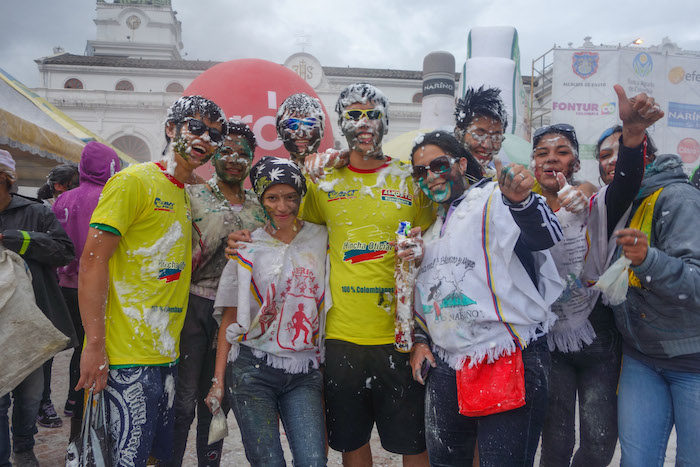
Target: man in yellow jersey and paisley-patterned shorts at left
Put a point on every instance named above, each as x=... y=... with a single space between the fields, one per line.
x=134 y=284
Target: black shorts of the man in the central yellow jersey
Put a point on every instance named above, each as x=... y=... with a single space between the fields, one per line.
x=367 y=384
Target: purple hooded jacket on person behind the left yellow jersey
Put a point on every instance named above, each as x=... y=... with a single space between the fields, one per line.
x=73 y=208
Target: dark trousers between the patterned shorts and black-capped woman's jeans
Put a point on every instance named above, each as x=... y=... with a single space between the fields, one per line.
x=195 y=371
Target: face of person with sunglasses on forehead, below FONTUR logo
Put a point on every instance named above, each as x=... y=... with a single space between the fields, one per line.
x=553 y=153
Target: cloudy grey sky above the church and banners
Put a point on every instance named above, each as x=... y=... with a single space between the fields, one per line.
x=393 y=34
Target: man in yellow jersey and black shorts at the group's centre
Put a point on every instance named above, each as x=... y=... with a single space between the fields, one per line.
x=367 y=381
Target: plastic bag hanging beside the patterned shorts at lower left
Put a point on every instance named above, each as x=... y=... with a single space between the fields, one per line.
x=93 y=446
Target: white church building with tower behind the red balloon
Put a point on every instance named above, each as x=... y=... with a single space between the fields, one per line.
x=133 y=71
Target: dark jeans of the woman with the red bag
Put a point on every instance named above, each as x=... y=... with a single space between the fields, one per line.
x=505 y=439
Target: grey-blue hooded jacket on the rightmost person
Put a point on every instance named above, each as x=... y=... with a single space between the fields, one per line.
x=660 y=321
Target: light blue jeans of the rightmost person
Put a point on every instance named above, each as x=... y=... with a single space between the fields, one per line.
x=650 y=401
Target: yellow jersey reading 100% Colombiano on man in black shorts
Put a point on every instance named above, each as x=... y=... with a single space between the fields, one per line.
x=362 y=210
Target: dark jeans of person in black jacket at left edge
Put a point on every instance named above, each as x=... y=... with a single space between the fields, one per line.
x=27 y=397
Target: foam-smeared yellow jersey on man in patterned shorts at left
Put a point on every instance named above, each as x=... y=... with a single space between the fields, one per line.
x=149 y=274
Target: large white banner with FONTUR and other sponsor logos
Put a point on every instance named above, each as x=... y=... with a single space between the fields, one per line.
x=583 y=96
